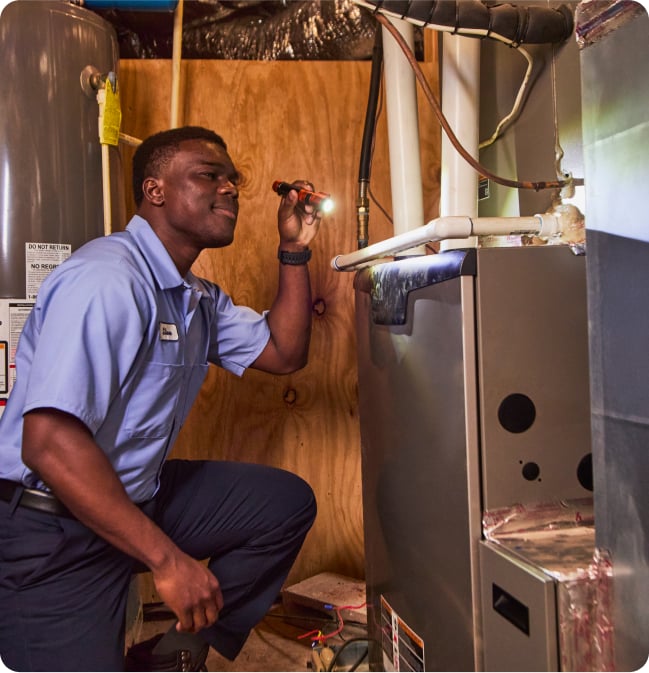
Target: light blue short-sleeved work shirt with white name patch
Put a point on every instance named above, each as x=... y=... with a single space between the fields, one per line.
x=120 y=340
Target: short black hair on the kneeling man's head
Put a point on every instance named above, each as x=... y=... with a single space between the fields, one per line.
x=154 y=152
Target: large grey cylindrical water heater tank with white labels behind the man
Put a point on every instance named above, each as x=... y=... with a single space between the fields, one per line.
x=50 y=155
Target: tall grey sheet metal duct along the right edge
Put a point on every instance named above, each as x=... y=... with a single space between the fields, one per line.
x=615 y=90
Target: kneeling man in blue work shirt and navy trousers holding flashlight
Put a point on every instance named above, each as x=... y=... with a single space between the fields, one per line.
x=108 y=365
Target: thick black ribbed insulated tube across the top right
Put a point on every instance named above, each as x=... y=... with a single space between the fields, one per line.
x=512 y=24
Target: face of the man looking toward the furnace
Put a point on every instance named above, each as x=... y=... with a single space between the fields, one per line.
x=200 y=196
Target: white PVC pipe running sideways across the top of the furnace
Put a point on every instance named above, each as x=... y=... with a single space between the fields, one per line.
x=452 y=227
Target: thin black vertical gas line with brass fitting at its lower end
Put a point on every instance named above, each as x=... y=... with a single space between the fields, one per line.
x=365 y=165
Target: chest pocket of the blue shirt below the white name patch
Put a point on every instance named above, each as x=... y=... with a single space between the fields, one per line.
x=151 y=410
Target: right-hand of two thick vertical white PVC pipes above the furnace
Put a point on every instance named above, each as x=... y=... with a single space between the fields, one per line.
x=460 y=105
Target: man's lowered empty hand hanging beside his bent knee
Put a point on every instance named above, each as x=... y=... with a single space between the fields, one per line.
x=191 y=591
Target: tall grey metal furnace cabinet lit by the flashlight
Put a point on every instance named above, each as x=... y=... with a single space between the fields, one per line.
x=474 y=396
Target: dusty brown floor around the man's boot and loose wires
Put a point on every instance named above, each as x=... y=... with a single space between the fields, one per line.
x=274 y=645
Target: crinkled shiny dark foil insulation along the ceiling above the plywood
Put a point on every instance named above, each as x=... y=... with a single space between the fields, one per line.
x=261 y=30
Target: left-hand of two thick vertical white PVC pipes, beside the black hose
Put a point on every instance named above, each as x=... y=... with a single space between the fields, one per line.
x=403 y=132
